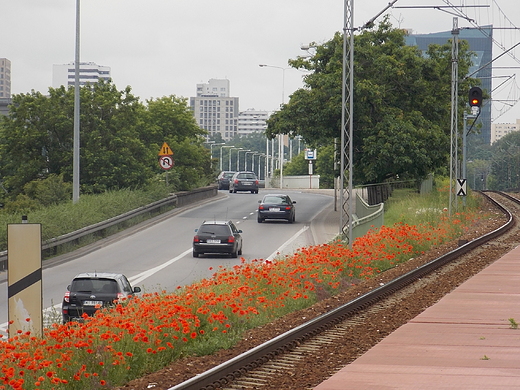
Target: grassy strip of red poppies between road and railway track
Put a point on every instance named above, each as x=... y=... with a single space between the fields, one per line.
x=152 y=330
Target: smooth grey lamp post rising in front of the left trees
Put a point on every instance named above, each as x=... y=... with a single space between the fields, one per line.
x=75 y=157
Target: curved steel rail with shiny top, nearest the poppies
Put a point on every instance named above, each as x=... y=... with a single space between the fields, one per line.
x=226 y=372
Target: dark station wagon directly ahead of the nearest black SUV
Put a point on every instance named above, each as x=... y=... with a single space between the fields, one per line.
x=221 y=237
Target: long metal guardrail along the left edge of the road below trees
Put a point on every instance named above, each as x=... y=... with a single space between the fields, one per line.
x=179 y=199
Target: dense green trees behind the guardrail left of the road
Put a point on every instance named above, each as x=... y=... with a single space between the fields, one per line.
x=120 y=139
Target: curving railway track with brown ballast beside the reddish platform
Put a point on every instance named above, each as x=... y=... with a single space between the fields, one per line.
x=304 y=356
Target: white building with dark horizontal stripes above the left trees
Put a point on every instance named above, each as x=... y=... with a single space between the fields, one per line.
x=89 y=72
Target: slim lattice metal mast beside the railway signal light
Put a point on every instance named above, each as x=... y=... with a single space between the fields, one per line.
x=454 y=114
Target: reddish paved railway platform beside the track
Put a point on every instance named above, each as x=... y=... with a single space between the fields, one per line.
x=467 y=340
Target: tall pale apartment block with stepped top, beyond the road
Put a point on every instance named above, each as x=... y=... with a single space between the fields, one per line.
x=214 y=109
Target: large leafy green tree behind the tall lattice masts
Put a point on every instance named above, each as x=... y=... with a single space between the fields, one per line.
x=401 y=103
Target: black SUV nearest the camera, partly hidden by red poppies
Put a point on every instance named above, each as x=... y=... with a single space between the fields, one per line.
x=91 y=291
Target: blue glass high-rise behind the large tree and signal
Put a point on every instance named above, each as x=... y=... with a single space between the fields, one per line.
x=481 y=42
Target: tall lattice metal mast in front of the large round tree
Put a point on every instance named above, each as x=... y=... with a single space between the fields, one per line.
x=346 y=159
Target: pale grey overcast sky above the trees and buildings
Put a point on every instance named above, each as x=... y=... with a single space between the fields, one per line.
x=165 y=47
